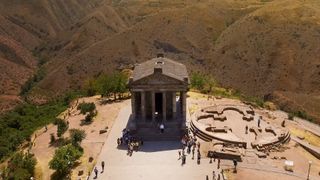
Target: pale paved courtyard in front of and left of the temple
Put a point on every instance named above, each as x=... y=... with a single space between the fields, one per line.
x=156 y=160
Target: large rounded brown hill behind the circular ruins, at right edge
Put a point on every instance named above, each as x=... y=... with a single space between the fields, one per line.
x=274 y=49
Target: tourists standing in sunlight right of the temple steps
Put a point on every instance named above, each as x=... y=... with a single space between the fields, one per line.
x=189 y=145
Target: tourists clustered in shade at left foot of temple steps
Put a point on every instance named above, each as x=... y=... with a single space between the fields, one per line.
x=133 y=143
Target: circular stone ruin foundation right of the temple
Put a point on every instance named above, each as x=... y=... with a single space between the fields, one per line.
x=238 y=125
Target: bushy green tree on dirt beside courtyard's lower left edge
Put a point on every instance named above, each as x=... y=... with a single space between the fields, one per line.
x=64 y=159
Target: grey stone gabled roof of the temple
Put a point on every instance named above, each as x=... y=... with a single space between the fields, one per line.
x=166 y=66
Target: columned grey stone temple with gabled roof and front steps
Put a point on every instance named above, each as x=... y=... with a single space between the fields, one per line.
x=159 y=87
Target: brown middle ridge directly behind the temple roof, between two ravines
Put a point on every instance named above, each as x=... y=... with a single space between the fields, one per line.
x=185 y=34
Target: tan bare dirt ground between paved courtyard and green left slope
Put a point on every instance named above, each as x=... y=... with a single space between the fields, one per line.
x=92 y=144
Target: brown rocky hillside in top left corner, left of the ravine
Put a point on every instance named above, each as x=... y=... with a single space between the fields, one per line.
x=24 y=26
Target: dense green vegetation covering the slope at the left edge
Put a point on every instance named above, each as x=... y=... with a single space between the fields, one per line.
x=18 y=125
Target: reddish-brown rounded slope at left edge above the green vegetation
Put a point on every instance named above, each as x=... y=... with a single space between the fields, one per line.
x=16 y=66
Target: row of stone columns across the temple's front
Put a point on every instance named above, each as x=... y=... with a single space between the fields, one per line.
x=164 y=104
